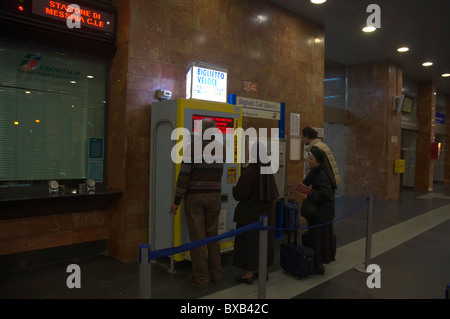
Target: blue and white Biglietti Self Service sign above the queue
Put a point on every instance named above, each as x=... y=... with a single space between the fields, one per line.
x=259 y=108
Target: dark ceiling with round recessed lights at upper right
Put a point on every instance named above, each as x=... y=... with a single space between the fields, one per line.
x=421 y=25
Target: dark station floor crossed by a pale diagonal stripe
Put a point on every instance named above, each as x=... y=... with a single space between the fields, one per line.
x=410 y=243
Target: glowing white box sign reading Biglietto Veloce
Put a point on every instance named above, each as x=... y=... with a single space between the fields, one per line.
x=206 y=81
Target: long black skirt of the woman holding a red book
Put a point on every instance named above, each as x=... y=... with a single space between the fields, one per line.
x=322 y=240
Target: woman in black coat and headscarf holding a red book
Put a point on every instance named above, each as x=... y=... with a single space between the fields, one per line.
x=321 y=179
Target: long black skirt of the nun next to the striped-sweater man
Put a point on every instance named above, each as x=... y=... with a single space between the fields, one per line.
x=246 y=249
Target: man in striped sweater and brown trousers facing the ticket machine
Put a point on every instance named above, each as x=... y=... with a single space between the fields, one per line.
x=199 y=183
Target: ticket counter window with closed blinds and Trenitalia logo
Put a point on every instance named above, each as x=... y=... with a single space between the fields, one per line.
x=52 y=106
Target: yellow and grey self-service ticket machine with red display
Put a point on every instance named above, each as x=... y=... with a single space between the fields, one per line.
x=166 y=230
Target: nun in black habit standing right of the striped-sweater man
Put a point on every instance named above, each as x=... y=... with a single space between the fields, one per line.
x=256 y=194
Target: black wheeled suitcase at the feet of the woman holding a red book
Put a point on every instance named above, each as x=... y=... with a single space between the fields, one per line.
x=296 y=259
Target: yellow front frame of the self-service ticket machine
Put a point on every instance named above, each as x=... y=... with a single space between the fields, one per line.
x=183 y=104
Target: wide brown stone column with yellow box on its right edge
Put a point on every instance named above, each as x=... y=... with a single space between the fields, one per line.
x=374 y=130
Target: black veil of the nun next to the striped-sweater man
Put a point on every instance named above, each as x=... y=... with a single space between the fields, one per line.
x=268 y=190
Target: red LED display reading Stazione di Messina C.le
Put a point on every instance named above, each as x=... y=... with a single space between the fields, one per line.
x=82 y=15
